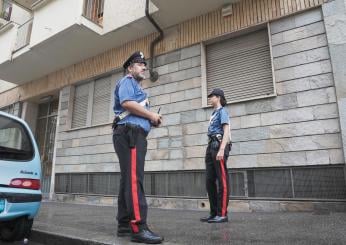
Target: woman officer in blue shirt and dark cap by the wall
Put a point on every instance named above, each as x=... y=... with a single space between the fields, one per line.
x=217 y=153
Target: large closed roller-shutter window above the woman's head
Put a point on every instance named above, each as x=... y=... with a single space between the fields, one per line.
x=241 y=66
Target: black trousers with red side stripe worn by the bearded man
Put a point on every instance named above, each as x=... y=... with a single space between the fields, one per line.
x=130 y=144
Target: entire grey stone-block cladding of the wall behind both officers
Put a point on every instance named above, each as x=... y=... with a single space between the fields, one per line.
x=298 y=127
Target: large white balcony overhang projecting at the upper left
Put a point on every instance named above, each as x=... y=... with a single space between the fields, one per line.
x=60 y=33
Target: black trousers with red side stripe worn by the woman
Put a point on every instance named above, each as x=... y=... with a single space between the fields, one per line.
x=217 y=179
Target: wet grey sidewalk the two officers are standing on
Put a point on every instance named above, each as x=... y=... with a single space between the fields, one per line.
x=86 y=224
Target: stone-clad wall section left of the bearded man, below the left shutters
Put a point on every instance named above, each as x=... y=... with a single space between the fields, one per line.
x=82 y=150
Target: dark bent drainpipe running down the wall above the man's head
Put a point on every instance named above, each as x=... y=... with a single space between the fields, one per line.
x=153 y=74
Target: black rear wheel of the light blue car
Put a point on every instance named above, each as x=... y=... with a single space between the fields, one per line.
x=16 y=230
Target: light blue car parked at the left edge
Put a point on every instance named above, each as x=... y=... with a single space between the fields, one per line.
x=20 y=178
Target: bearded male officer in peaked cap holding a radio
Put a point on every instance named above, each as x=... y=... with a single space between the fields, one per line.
x=131 y=125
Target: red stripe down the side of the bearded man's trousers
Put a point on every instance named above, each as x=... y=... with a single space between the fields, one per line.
x=134 y=189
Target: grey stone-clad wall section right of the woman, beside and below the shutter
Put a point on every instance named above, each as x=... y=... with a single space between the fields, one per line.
x=300 y=126
